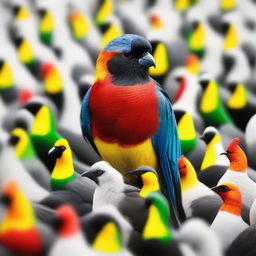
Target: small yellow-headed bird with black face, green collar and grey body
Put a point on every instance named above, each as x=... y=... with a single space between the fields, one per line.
x=66 y=184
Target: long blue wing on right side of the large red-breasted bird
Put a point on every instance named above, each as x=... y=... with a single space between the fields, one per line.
x=166 y=144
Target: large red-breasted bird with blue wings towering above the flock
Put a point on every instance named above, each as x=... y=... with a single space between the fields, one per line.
x=124 y=101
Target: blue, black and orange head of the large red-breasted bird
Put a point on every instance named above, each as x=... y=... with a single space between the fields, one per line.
x=126 y=59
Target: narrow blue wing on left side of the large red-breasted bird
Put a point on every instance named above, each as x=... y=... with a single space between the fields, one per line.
x=85 y=118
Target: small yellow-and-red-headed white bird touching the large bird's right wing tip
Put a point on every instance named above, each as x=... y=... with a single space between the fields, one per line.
x=197 y=199
